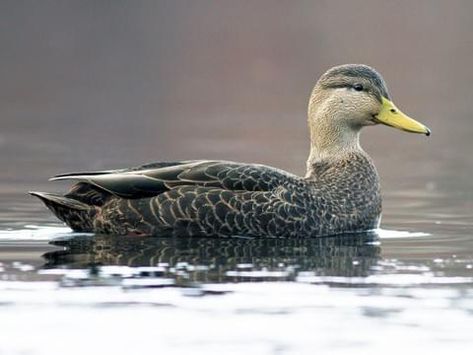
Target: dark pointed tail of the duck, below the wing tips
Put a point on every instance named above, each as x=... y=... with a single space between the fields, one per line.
x=77 y=215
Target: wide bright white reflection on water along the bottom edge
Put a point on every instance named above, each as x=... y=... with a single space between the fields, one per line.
x=262 y=318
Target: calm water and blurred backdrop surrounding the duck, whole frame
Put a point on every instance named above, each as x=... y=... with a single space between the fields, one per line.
x=99 y=85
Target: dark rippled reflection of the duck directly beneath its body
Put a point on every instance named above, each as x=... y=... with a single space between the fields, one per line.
x=218 y=260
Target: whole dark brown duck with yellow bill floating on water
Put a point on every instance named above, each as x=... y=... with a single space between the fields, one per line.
x=339 y=194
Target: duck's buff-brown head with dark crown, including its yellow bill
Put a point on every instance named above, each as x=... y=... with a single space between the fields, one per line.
x=347 y=98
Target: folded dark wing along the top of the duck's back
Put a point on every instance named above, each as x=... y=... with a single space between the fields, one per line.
x=152 y=179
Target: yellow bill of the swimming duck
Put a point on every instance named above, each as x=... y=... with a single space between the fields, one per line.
x=390 y=115
